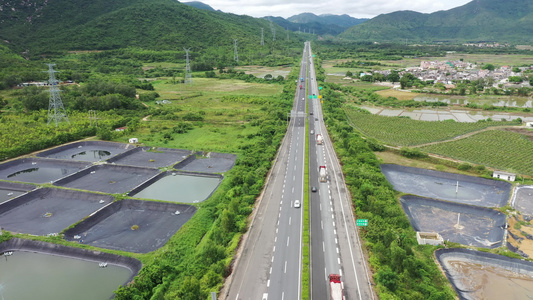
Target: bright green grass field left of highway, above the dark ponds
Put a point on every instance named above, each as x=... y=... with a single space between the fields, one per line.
x=228 y=109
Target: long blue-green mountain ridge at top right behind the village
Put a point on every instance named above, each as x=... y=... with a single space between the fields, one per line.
x=480 y=20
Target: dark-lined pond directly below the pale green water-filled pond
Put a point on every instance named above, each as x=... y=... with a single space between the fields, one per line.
x=112 y=226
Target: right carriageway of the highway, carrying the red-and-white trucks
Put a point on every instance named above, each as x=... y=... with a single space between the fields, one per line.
x=335 y=245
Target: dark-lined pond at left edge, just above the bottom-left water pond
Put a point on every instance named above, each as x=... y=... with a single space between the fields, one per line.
x=49 y=210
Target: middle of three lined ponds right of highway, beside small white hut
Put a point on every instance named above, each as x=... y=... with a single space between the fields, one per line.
x=481 y=227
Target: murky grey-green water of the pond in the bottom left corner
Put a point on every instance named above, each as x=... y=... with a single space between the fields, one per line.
x=30 y=276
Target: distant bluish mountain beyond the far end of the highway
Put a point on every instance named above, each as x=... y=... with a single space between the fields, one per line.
x=323 y=24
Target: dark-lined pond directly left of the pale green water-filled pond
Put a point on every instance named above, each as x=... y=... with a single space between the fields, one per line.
x=108 y=178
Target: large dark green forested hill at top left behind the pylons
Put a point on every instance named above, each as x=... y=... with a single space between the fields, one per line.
x=54 y=25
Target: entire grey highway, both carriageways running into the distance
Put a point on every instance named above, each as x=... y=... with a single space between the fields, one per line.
x=270 y=263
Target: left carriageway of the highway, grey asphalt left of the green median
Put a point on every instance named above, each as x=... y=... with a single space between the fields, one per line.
x=270 y=264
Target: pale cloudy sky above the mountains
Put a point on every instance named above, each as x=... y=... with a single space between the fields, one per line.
x=354 y=8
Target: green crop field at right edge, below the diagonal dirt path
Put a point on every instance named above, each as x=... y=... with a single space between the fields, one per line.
x=504 y=150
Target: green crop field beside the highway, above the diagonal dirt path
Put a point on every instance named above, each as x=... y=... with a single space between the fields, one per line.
x=406 y=132
